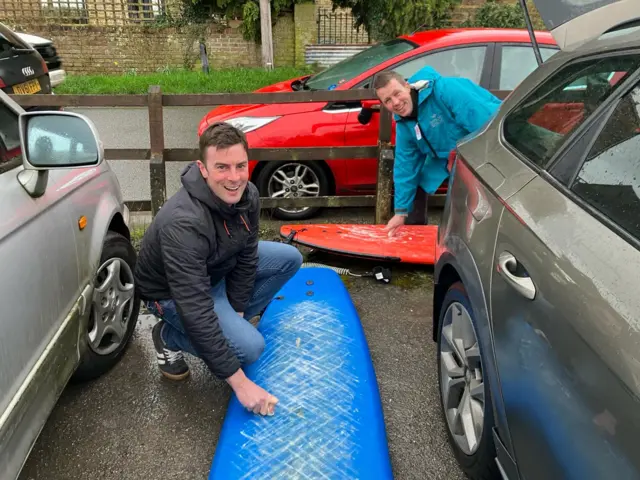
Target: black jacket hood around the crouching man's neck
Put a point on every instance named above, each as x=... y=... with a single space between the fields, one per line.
x=197 y=187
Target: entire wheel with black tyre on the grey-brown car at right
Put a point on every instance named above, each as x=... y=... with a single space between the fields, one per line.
x=460 y=374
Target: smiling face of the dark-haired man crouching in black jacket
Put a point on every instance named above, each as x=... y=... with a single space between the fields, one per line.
x=226 y=171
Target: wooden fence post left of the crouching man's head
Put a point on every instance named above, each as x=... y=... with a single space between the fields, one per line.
x=157 y=172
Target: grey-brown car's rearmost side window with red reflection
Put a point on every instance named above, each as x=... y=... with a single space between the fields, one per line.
x=542 y=122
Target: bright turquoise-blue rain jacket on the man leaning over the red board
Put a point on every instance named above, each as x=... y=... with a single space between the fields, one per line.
x=449 y=109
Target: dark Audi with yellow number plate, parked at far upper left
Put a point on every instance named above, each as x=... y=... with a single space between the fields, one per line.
x=22 y=69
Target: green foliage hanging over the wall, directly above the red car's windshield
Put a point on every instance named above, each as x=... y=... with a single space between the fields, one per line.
x=386 y=19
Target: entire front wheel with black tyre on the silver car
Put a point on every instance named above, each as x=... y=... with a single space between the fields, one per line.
x=117 y=254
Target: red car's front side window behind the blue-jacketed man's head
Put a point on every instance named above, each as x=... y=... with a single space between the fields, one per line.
x=466 y=62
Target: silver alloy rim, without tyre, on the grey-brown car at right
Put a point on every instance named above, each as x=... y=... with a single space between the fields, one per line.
x=462 y=383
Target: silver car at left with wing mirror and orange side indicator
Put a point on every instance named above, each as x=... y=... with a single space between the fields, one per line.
x=67 y=294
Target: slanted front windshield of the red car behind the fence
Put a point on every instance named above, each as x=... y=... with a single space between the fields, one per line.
x=351 y=67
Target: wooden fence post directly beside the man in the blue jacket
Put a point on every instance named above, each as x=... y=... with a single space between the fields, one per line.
x=385 y=169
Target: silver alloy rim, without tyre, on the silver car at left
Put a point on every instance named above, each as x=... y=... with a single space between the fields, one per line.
x=112 y=306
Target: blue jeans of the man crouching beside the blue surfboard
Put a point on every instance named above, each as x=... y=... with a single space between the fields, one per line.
x=277 y=263
